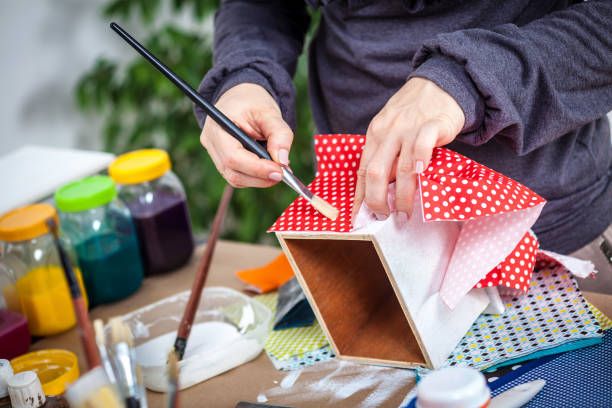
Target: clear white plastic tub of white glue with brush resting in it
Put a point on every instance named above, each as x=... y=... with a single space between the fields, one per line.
x=229 y=330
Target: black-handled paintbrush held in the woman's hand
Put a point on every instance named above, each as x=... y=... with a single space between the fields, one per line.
x=230 y=127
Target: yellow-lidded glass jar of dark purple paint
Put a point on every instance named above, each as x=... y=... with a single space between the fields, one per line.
x=156 y=199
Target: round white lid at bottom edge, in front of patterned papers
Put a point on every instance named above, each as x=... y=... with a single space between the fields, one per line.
x=456 y=387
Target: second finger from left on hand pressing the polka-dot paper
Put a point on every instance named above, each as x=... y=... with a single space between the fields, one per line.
x=377 y=176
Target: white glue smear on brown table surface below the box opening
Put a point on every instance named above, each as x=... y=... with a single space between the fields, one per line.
x=336 y=380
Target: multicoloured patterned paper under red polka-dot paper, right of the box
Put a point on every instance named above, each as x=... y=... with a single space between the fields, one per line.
x=551 y=314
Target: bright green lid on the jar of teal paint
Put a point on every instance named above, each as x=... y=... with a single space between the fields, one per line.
x=85 y=194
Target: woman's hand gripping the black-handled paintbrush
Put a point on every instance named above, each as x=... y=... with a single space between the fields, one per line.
x=253 y=109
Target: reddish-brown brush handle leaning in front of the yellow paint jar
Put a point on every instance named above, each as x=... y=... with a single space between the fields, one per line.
x=78 y=302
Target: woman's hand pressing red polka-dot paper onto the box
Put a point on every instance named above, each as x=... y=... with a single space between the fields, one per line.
x=400 y=141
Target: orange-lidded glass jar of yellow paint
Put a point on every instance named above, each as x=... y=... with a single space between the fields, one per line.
x=34 y=283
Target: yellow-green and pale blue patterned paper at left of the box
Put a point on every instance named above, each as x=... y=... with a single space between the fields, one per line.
x=289 y=348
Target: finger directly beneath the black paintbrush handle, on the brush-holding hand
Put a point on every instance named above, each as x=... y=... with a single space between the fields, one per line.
x=235 y=157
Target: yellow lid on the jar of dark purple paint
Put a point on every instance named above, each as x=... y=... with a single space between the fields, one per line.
x=139 y=166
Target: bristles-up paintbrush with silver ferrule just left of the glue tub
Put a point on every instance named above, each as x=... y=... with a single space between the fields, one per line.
x=124 y=362
